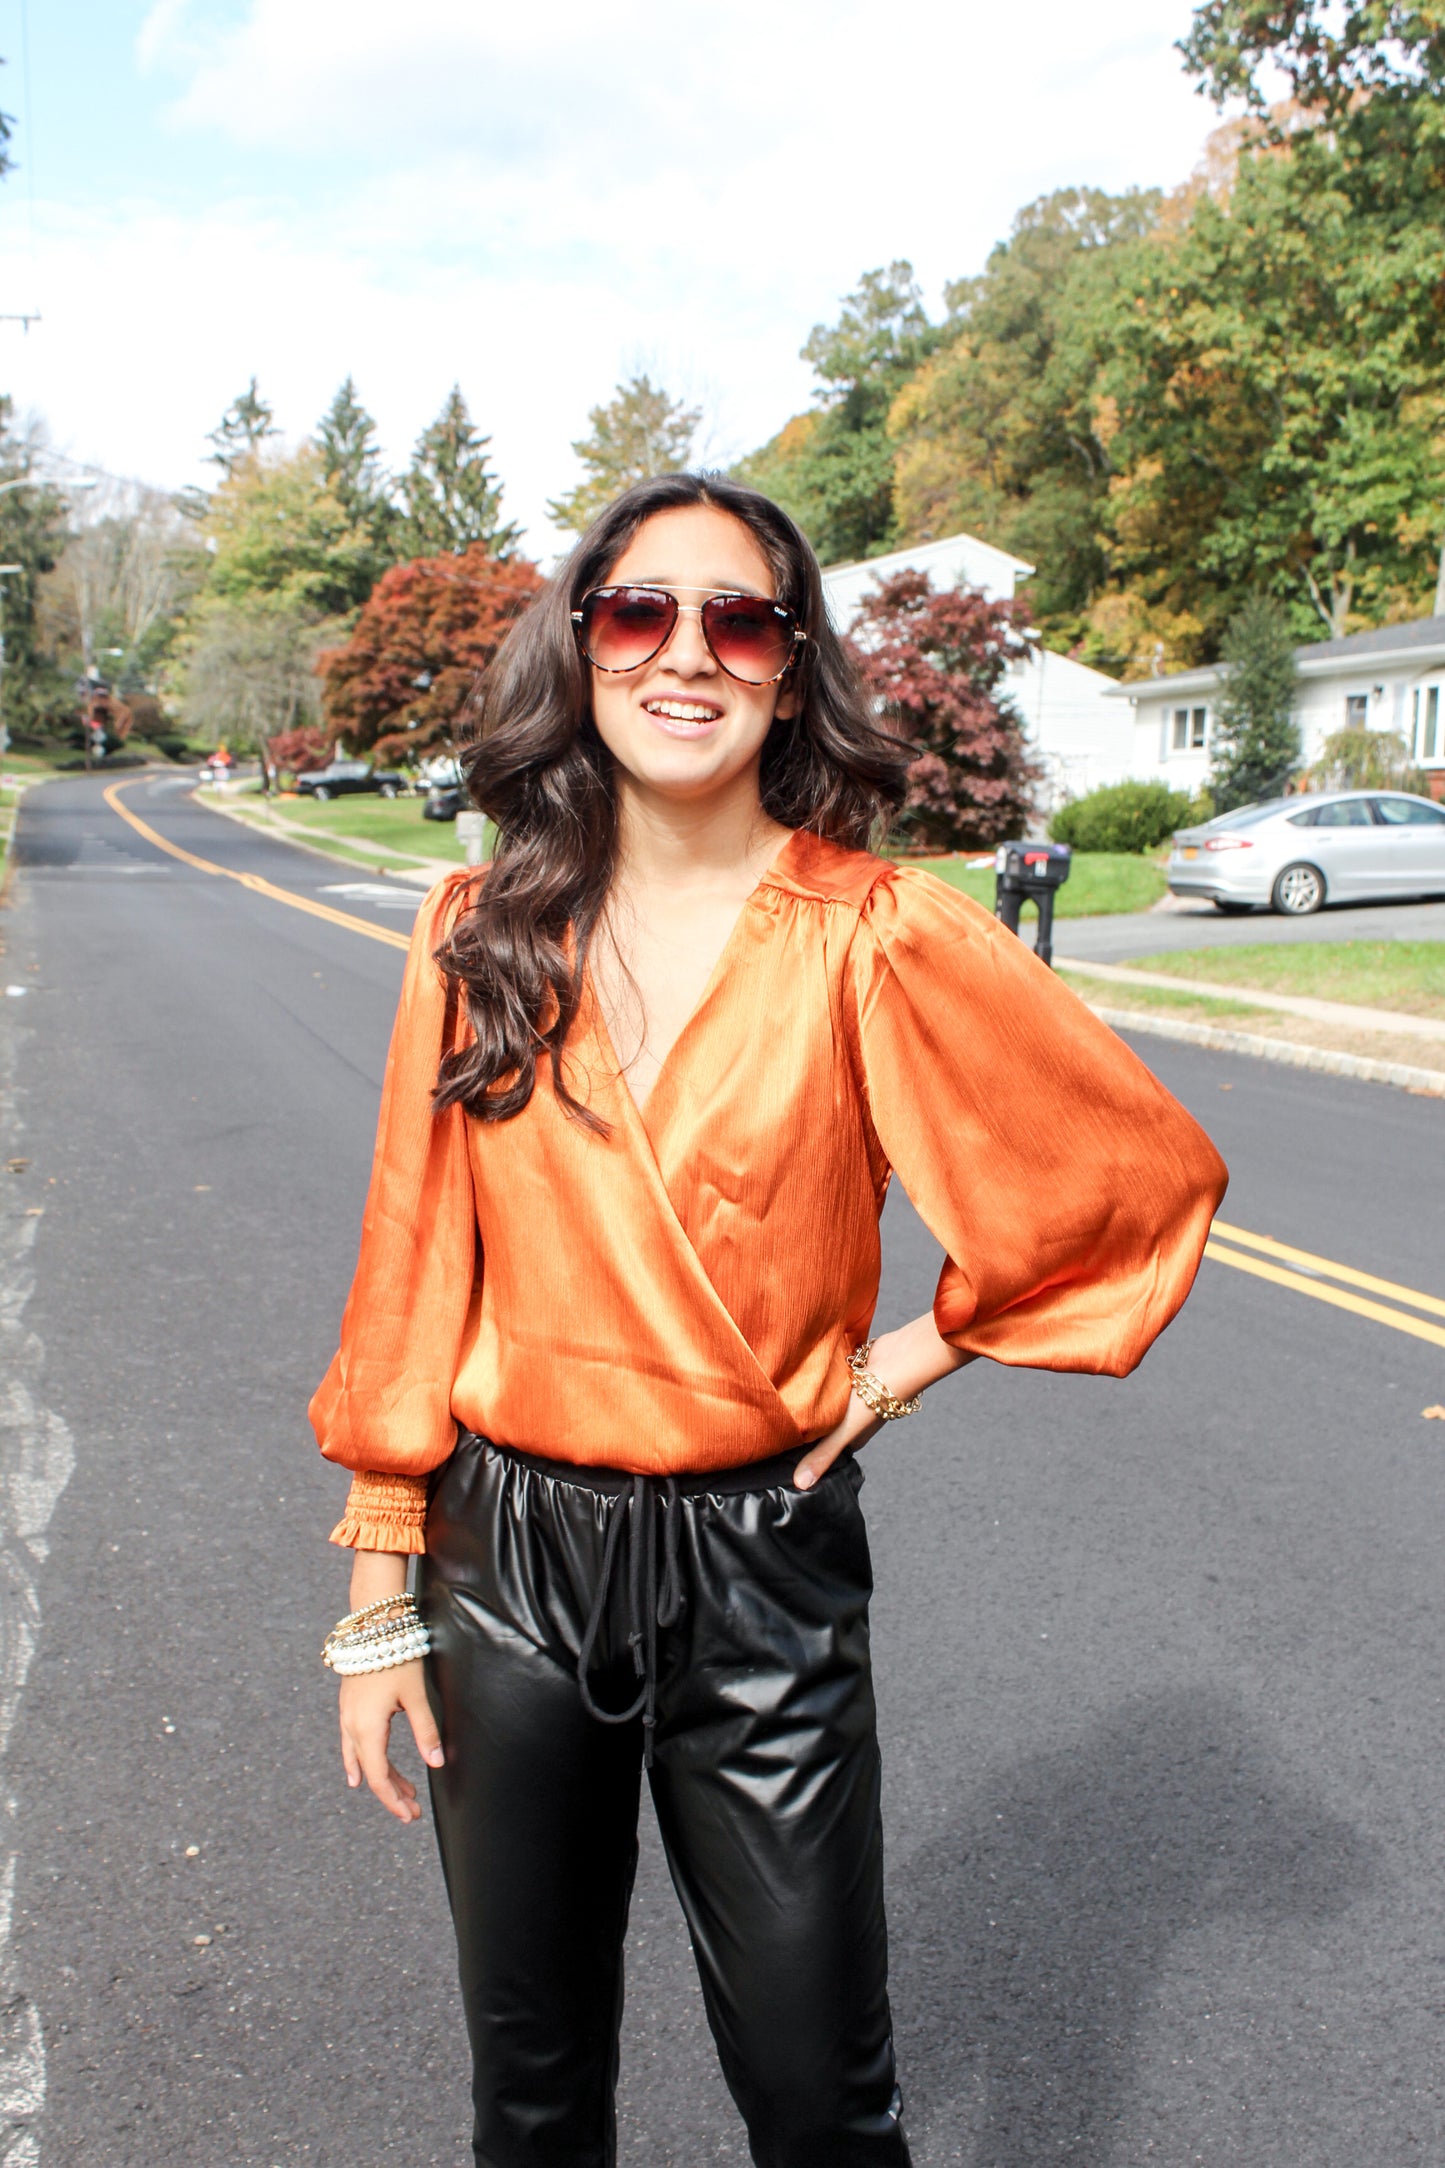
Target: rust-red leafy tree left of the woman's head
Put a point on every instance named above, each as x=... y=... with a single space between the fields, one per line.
x=424 y=638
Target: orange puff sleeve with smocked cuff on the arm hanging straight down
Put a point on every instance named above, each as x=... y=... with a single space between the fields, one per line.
x=385 y=1406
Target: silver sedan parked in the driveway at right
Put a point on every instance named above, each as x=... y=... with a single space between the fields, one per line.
x=1323 y=849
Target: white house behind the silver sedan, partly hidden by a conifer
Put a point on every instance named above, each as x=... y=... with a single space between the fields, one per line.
x=1390 y=680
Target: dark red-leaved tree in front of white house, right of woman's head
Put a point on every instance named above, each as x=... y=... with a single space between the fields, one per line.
x=937 y=662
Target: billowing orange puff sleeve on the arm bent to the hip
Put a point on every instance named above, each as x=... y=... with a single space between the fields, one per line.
x=1069 y=1189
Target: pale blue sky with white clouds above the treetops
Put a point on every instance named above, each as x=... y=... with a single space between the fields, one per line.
x=525 y=201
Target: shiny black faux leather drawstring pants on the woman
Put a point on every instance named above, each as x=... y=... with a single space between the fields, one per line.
x=764 y=1768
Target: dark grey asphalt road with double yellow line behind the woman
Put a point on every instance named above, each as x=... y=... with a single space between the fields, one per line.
x=1160 y=1662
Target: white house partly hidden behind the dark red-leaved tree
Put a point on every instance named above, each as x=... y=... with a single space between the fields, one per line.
x=1080 y=734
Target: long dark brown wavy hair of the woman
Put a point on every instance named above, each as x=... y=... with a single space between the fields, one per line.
x=541 y=771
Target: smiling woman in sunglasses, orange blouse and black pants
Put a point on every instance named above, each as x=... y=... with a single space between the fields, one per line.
x=606 y=1358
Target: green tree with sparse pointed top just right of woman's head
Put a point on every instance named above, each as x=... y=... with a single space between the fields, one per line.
x=833 y=469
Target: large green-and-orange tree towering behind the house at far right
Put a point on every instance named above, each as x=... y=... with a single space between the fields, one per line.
x=1277 y=380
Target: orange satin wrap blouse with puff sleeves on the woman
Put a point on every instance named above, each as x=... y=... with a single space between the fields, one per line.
x=684 y=1293
